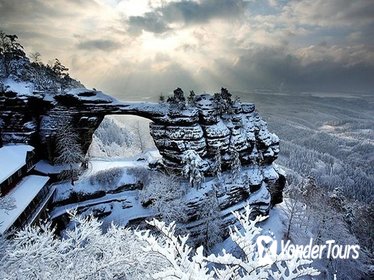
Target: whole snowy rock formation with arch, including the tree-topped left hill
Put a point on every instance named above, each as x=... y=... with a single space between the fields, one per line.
x=36 y=101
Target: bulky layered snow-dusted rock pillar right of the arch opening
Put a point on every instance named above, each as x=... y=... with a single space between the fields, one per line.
x=208 y=129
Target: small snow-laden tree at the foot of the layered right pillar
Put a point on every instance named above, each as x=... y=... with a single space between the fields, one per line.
x=192 y=169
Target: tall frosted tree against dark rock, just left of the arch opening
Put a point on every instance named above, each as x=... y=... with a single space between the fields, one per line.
x=68 y=150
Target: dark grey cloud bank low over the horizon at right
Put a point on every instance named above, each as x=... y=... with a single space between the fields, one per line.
x=272 y=67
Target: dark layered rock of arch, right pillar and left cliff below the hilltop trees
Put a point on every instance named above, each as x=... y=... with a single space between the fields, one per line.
x=210 y=125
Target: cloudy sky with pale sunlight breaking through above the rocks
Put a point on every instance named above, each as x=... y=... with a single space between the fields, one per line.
x=145 y=47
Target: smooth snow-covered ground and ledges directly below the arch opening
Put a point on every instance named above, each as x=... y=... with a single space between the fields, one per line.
x=121 y=207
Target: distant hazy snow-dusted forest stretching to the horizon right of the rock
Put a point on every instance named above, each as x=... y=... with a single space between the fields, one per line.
x=327 y=136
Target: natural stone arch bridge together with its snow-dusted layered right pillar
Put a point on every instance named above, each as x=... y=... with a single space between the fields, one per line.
x=210 y=124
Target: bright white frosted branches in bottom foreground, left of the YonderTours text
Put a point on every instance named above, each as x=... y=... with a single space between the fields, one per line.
x=186 y=264
